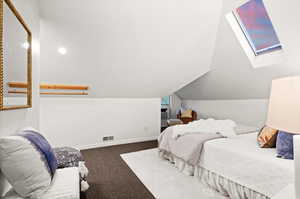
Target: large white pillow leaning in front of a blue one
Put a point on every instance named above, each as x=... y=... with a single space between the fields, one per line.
x=23 y=167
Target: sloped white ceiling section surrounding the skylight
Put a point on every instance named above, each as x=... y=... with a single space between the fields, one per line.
x=231 y=75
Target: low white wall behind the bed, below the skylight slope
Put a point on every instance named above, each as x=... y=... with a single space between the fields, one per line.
x=251 y=112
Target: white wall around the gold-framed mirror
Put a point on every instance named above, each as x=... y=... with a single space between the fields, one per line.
x=10 y=121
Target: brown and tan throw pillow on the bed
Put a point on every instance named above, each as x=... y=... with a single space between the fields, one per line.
x=267 y=137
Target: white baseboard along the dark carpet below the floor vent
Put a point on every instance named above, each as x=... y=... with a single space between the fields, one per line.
x=117 y=142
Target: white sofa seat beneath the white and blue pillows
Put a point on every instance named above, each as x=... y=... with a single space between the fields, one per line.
x=65 y=185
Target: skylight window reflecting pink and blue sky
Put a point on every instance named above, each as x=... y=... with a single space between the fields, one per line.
x=257 y=27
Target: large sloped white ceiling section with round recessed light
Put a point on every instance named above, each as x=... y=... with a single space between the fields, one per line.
x=128 y=48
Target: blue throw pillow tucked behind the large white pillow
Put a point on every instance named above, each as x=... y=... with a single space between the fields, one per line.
x=44 y=148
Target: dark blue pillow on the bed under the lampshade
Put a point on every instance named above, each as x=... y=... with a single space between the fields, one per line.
x=285 y=145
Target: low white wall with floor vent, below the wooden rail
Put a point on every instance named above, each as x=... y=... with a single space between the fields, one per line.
x=82 y=122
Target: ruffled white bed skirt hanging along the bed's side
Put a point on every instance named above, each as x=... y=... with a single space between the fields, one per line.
x=213 y=181
